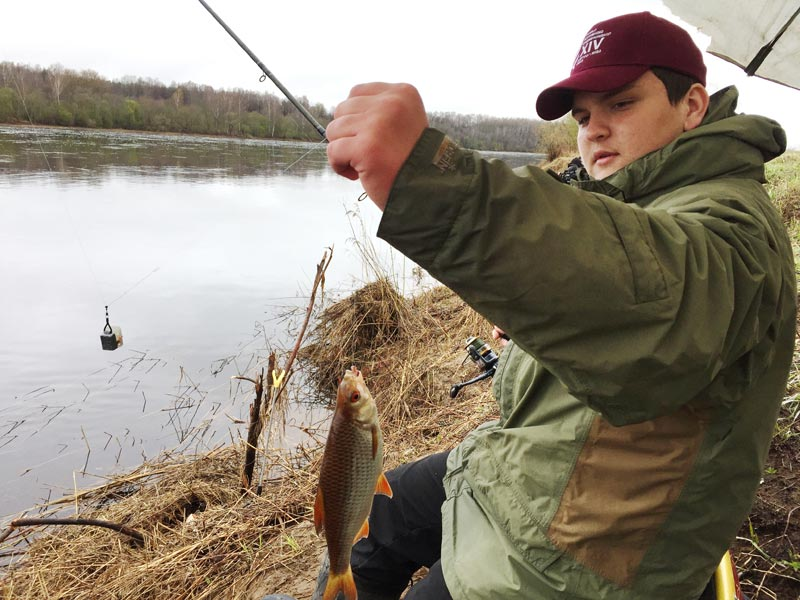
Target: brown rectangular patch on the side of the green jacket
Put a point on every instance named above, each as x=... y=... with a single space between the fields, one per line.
x=624 y=485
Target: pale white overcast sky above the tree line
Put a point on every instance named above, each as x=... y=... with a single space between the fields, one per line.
x=489 y=57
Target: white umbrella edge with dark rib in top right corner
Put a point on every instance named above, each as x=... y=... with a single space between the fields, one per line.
x=763 y=38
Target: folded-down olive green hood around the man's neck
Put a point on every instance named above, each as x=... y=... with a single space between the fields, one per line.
x=725 y=144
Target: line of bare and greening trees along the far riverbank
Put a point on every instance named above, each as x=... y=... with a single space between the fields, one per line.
x=63 y=97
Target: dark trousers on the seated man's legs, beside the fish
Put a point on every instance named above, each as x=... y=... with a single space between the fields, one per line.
x=405 y=533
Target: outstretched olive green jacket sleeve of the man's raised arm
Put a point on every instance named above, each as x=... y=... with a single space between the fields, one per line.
x=635 y=310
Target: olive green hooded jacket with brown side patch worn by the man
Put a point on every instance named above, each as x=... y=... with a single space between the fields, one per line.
x=652 y=317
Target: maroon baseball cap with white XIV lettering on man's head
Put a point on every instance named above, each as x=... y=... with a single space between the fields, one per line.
x=618 y=51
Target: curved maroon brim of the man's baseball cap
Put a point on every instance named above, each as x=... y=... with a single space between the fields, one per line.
x=556 y=101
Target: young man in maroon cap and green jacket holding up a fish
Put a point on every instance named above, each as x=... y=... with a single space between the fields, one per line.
x=651 y=308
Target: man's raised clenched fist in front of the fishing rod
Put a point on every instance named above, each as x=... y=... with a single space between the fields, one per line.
x=372 y=134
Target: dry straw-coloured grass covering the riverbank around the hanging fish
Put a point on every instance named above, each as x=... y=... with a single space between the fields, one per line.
x=203 y=538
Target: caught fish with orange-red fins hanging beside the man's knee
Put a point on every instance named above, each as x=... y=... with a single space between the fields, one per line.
x=351 y=474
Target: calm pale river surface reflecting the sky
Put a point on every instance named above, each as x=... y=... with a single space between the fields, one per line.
x=201 y=247
